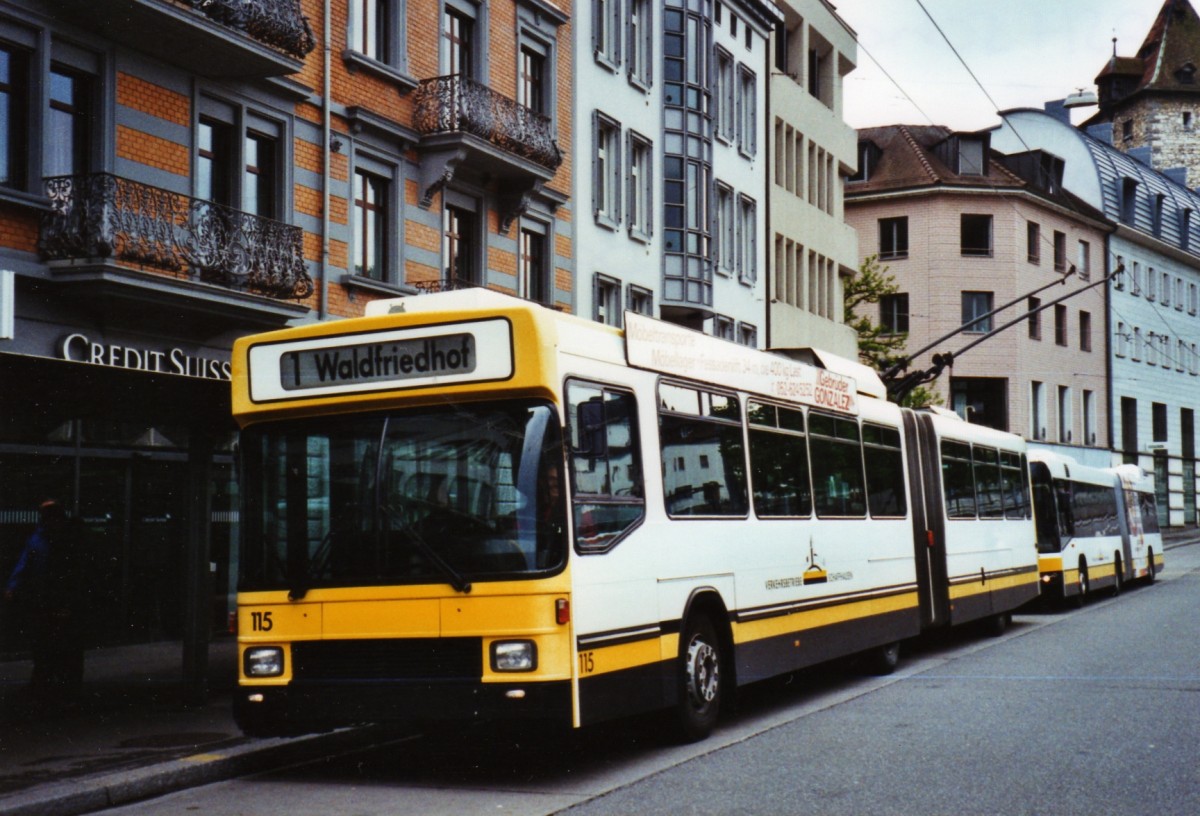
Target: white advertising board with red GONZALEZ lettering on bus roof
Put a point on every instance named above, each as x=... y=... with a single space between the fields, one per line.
x=674 y=350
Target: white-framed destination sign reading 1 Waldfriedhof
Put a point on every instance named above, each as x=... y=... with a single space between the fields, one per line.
x=471 y=352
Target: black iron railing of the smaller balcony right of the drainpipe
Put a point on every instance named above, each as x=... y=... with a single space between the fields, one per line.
x=455 y=105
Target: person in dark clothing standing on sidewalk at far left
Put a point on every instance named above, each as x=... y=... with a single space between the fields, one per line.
x=47 y=593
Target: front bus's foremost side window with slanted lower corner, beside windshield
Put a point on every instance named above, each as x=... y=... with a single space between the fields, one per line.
x=607 y=475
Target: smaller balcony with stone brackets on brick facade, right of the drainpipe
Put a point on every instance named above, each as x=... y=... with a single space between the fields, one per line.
x=467 y=129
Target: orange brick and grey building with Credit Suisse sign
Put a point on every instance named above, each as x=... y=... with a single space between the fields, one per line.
x=181 y=175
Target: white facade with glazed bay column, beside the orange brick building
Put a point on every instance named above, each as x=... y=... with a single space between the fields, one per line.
x=670 y=137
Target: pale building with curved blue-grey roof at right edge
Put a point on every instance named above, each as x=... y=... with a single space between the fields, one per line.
x=1155 y=304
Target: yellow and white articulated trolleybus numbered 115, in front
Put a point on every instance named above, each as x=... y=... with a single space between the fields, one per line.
x=465 y=506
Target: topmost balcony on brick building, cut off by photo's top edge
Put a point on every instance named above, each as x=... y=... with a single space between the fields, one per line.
x=218 y=39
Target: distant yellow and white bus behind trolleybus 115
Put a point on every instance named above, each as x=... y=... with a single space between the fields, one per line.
x=1097 y=527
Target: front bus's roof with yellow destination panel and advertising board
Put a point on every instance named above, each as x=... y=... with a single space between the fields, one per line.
x=475 y=341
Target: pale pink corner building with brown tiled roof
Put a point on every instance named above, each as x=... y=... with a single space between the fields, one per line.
x=967 y=231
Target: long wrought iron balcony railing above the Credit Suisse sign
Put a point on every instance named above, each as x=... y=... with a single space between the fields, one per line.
x=106 y=217
